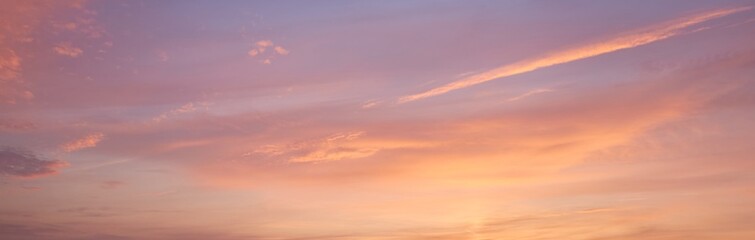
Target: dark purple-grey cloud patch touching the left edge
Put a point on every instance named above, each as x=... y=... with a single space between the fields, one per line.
x=21 y=163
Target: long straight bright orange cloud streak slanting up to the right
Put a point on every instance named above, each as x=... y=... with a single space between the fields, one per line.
x=625 y=41
